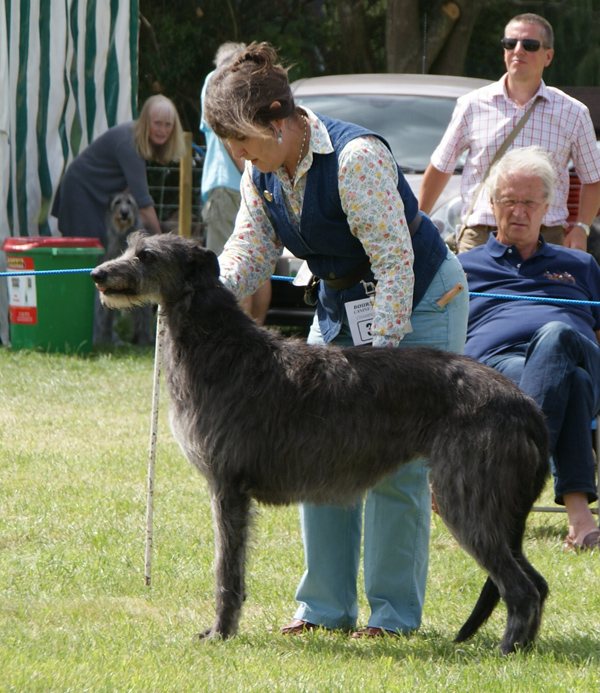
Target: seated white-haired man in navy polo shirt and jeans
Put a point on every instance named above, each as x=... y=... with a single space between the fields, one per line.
x=551 y=350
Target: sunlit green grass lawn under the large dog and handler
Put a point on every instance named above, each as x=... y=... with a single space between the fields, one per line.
x=75 y=614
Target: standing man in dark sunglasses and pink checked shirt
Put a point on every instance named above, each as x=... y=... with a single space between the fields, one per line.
x=483 y=119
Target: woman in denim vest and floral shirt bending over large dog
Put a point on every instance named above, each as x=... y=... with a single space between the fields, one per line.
x=332 y=193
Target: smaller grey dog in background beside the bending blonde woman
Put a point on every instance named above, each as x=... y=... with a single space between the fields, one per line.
x=122 y=219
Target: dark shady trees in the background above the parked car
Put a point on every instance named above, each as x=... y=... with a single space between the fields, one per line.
x=178 y=40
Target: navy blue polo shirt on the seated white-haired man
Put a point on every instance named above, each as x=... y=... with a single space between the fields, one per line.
x=496 y=324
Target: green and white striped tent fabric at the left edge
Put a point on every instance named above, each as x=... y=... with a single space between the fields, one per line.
x=68 y=71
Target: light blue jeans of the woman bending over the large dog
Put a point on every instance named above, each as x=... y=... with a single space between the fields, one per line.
x=396 y=512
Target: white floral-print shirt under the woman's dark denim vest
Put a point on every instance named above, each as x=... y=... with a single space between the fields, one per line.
x=367 y=182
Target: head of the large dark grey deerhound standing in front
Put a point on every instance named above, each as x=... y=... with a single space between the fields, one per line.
x=156 y=269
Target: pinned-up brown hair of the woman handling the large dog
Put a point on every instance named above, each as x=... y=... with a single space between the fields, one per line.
x=239 y=96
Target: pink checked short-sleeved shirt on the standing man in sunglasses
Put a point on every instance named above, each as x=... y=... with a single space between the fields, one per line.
x=483 y=119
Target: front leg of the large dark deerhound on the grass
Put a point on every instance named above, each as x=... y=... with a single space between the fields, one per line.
x=231 y=517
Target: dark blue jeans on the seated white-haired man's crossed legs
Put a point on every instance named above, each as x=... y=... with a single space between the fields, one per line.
x=560 y=370
